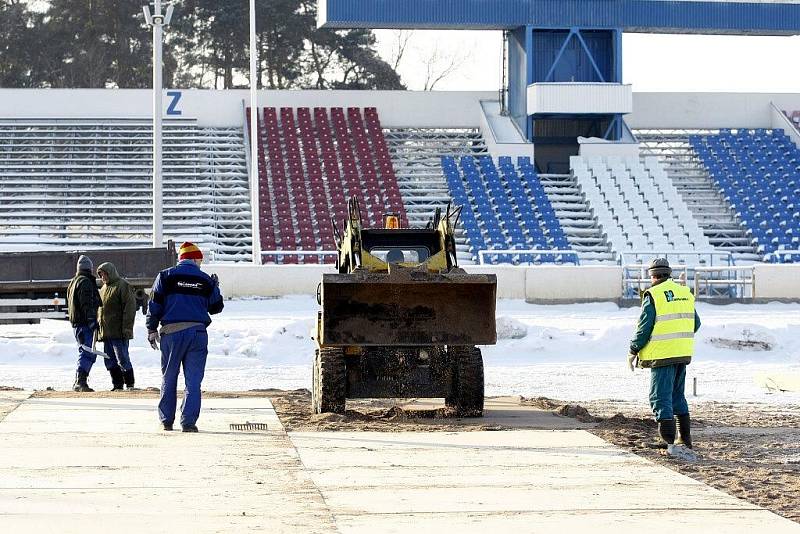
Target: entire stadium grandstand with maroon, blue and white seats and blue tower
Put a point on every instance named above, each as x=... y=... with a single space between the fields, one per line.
x=570 y=166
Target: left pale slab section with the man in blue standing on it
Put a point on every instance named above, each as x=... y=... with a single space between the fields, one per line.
x=98 y=465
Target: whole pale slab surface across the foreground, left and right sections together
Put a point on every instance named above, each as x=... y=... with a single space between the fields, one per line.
x=102 y=464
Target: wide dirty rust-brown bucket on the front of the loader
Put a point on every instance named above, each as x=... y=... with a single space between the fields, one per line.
x=408 y=308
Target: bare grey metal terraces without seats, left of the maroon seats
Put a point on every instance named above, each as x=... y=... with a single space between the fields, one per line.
x=72 y=183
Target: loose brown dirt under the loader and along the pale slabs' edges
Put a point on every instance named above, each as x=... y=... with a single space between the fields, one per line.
x=751 y=451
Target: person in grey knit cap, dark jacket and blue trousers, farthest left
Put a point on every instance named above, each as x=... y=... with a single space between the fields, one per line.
x=83 y=299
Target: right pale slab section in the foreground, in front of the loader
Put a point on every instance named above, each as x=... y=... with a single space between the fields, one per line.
x=512 y=481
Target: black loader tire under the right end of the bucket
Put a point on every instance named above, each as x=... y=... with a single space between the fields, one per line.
x=466 y=392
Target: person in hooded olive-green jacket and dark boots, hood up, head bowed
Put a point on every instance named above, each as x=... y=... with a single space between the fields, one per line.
x=116 y=317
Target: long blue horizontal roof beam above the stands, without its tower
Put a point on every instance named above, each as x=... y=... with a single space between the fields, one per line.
x=737 y=17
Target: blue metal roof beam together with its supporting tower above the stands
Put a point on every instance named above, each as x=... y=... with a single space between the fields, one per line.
x=566 y=41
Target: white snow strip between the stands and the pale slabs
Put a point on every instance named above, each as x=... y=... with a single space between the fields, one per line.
x=574 y=352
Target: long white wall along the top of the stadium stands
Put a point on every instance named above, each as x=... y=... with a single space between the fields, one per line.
x=397 y=108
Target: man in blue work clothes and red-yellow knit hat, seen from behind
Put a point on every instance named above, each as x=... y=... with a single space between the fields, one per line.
x=181 y=301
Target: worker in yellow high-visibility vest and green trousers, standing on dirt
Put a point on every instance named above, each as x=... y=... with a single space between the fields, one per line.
x=664 y=343
